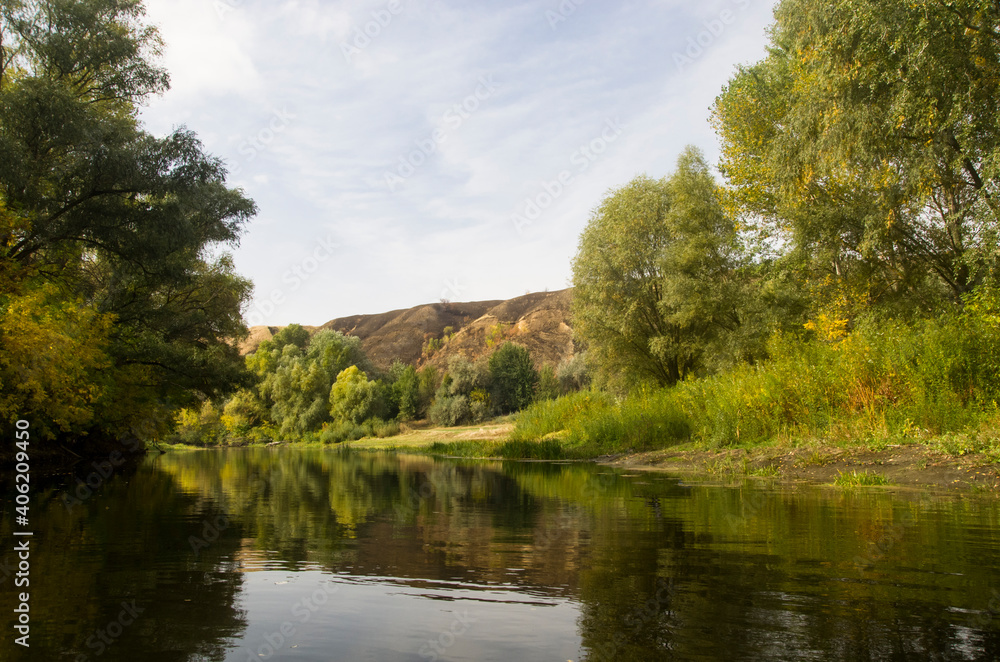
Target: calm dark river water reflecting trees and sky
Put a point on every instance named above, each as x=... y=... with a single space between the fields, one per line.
x=317 y=555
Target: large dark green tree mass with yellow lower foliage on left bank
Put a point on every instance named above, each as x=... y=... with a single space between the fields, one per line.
x=113 y=311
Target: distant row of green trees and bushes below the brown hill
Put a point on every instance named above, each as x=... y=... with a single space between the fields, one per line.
x=324 y=388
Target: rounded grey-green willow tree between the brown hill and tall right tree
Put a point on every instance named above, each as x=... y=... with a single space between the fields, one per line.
x=659 y=277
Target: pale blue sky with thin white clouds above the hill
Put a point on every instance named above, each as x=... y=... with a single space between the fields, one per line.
x=402 y=152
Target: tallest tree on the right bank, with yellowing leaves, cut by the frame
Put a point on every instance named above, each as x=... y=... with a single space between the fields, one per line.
x=867 y=143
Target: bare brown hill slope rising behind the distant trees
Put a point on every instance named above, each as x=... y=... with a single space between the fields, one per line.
x=540 y=321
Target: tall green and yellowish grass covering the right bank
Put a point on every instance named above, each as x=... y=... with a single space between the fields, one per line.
x=885 y=380
